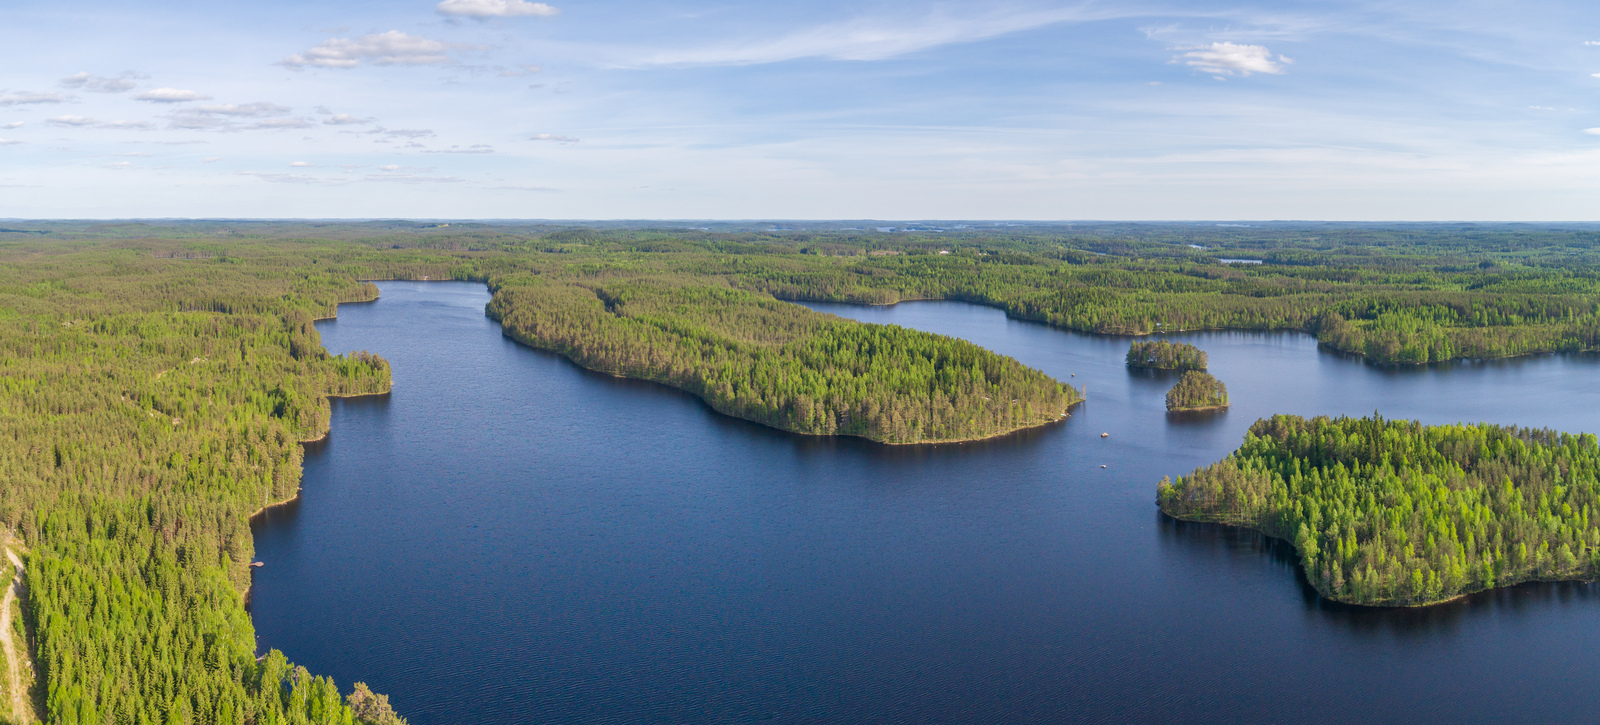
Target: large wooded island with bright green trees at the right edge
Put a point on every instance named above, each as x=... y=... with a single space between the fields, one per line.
x=1401 y=515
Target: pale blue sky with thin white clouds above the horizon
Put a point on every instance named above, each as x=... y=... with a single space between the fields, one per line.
x=593 y=110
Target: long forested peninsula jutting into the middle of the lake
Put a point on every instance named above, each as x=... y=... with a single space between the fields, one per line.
x=785 y=366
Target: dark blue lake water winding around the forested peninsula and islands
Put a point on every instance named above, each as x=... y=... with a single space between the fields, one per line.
x=510 y=539
